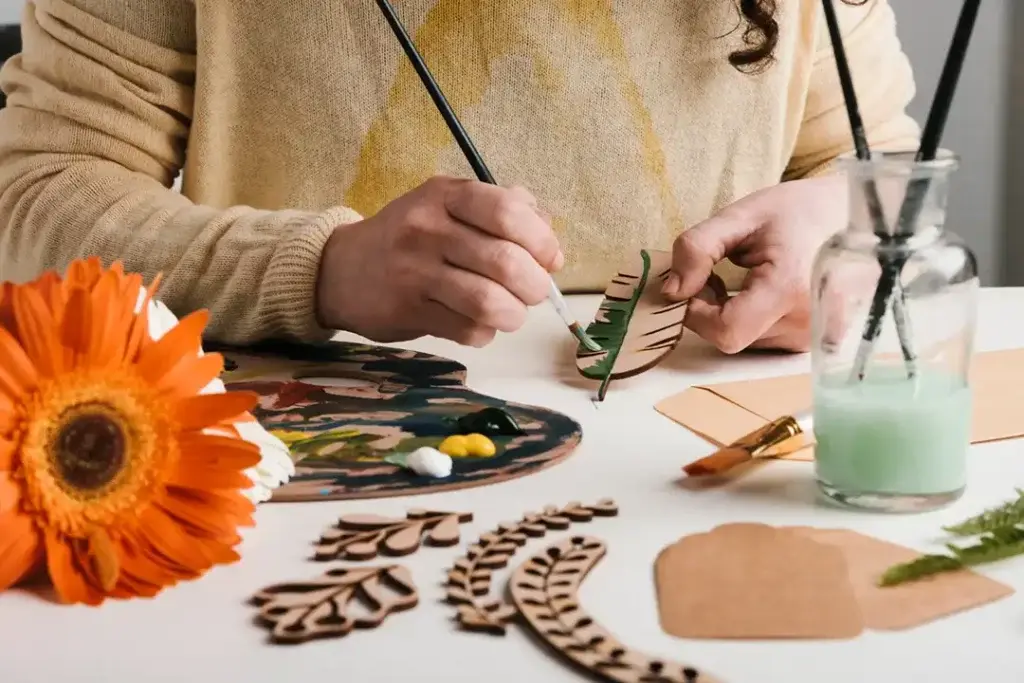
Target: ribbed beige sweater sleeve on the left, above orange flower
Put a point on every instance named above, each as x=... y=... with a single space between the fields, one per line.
x=94 y=136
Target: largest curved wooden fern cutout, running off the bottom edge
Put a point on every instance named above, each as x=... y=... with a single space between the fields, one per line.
x=545 y=589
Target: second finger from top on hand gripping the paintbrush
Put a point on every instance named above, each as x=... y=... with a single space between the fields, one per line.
x=500 y=261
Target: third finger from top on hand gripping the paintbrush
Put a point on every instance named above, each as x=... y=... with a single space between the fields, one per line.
x=484 y=302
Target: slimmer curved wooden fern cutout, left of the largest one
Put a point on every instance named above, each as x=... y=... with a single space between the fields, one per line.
x=470 y=580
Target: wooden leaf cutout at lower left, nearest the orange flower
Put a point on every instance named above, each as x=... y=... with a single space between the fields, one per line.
x=300 y=612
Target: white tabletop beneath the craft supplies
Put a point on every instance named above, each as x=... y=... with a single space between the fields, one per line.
x=202 y=631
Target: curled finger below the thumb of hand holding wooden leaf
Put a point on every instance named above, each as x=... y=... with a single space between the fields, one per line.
x=746 y=318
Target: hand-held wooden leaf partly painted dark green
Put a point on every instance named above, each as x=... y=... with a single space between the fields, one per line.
x=634 y=325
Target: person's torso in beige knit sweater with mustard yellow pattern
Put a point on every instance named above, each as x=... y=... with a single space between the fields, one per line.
x=624 y=117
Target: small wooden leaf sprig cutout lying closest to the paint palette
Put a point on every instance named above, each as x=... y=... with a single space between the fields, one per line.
x=364 y=537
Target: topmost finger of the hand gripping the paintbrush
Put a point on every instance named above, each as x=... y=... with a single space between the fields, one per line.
x=507 y=215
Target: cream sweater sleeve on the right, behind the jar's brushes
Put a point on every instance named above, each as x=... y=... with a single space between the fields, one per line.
x=884 y=82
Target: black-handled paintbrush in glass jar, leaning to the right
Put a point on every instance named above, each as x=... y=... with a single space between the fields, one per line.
x=918 y=190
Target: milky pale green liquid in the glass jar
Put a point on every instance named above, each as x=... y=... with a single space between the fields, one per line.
x=889 y=436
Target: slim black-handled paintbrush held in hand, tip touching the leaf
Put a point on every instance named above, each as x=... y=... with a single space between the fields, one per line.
x=472 y=154
